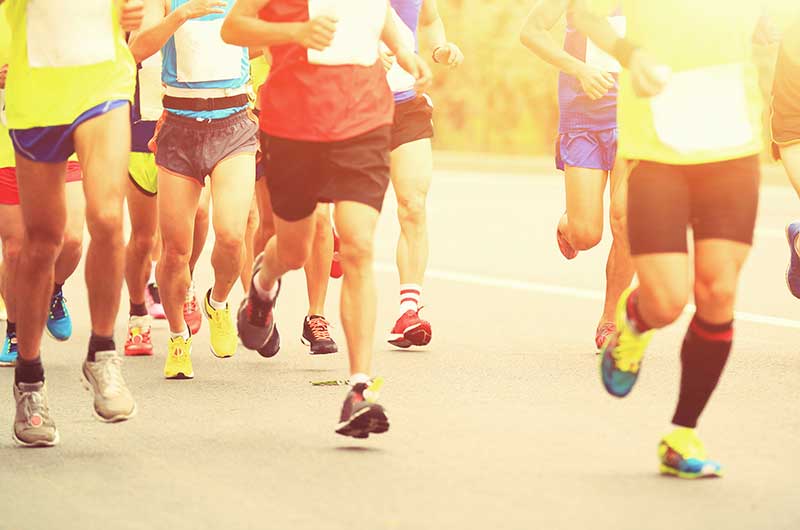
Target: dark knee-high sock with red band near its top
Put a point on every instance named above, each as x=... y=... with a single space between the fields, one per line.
x=703 y=356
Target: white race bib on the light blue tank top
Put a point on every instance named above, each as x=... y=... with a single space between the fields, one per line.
x=203 y=56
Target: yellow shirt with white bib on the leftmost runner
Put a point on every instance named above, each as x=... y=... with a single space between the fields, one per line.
x=78 y=47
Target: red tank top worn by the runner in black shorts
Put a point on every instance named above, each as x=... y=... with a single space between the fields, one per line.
x=303 y=101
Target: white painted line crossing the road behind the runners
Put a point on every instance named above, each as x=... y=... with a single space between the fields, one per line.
x=586 y=294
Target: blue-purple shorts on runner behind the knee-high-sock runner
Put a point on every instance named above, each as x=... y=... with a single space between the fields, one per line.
x=587 y=149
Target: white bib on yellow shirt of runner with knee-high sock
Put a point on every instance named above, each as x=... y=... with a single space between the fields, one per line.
x=704 y=110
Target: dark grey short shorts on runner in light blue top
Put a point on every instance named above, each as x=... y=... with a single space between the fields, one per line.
x=192 y=148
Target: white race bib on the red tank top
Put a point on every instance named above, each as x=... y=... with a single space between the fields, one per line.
x=358 y=31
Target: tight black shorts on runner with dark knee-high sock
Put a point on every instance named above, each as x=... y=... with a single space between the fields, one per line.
x=718 y=201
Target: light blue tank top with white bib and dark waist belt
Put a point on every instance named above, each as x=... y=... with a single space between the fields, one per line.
x=198 y=63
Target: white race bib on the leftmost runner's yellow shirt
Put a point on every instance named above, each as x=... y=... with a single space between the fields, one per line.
x=66 y=34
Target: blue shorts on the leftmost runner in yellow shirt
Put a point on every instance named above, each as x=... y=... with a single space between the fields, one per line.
x=56 y=143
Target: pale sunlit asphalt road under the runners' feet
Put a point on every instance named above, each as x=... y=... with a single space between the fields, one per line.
x=501 y=423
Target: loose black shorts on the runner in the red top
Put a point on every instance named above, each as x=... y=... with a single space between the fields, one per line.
x=301 y=174
